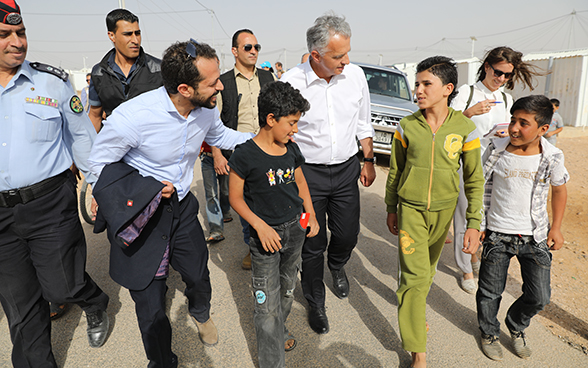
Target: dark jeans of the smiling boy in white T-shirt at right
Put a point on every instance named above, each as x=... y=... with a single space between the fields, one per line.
x=535 y=260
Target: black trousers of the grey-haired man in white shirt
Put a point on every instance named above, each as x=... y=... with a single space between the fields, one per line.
x=335 y=195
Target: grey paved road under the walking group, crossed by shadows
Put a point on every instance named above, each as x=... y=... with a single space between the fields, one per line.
x=364 y=328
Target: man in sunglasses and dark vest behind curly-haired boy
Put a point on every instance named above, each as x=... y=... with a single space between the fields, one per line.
x=238 y=107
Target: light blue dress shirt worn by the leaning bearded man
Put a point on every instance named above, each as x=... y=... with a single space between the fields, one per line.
x=150 y=135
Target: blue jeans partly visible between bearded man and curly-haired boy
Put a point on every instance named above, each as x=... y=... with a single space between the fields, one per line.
x=215 y=205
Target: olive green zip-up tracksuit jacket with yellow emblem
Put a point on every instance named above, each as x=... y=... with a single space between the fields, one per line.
x=423 y=166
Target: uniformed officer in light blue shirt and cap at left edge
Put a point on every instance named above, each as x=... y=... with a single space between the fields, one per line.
x=42 y=243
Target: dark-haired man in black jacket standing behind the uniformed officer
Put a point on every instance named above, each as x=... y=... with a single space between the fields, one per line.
x=125 y=71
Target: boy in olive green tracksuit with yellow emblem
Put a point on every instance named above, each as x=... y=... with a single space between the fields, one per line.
x=422 y=189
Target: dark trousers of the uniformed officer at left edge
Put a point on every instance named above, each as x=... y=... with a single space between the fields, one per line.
x=43 y=258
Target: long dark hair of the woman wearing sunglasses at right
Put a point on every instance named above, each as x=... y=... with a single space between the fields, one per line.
x=523 y=71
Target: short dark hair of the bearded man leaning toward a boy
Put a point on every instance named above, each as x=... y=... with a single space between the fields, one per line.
x=178 y=66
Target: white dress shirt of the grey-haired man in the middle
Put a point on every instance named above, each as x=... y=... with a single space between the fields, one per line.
x=339 y=113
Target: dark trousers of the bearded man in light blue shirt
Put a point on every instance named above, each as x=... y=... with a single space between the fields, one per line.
x=188 y=256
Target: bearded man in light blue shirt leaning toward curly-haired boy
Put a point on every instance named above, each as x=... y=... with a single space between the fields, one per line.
x=159 y=133
